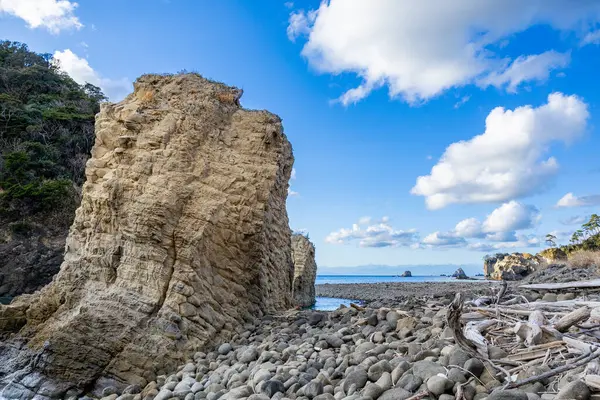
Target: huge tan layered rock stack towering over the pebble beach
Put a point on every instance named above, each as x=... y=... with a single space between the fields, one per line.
x=182 y=233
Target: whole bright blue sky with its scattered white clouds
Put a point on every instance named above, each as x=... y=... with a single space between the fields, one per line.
x=374 y=95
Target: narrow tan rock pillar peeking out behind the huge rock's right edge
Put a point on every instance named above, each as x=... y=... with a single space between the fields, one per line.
x=305 y=271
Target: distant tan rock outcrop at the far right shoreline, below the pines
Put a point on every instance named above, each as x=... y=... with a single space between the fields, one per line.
x=511 y=267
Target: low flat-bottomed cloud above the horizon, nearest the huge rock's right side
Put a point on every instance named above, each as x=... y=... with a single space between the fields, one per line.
x=380 y=234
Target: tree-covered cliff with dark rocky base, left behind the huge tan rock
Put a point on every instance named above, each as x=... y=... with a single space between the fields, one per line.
x=46 y=134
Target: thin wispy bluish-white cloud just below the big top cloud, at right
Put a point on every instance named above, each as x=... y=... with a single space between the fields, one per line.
x=527 y=68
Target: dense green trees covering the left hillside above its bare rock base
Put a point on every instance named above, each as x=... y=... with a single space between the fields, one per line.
x=46 y=134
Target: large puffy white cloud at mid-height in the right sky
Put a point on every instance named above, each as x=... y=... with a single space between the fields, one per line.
x=509 y=159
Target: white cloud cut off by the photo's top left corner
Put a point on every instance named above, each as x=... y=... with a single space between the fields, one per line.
x=54 y=15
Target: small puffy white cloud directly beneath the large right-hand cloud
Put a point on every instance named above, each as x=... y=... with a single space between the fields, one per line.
x=511 y=216
